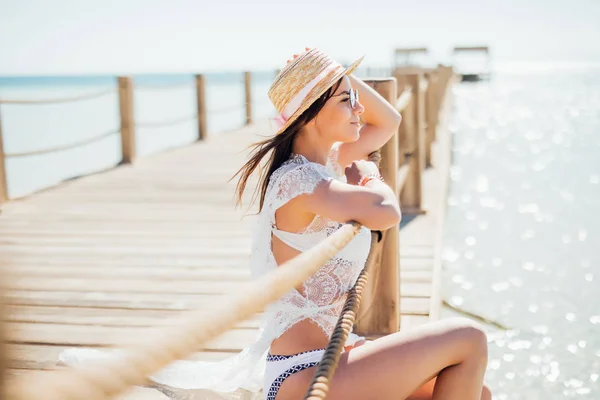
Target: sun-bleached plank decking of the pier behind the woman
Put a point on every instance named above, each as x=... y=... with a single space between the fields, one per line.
x=99 y=260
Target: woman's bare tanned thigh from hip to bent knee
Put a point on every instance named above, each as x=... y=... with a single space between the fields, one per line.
x=394 y=366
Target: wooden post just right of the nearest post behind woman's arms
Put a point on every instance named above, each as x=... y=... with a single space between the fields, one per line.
x=411 y=196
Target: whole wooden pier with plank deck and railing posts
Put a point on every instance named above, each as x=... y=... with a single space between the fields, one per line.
x=99 y=260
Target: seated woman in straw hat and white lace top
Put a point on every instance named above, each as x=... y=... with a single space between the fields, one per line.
x=305 y=195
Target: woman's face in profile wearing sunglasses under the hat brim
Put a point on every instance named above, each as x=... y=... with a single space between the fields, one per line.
x=337 y=119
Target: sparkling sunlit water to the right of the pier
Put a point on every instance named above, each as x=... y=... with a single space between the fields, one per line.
x=522 y=236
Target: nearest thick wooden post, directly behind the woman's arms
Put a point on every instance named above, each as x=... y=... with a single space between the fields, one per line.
x=379 y=312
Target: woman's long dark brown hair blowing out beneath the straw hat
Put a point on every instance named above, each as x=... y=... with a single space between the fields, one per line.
x=281 y=145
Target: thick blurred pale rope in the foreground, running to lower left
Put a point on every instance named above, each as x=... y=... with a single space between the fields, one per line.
x=150 y=353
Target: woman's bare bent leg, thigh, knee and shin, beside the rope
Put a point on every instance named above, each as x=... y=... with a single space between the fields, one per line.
x=395 y=366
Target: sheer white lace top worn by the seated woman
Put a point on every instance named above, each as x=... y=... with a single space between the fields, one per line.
x=320 y=301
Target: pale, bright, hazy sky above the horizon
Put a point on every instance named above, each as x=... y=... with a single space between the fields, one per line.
x=46 y=37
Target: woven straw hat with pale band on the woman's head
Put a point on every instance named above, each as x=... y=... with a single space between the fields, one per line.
x=302 y=82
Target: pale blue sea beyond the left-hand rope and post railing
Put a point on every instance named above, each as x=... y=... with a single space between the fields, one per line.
x=165 y=108
